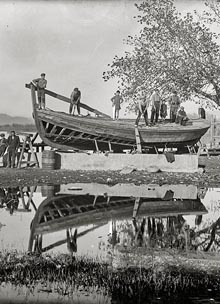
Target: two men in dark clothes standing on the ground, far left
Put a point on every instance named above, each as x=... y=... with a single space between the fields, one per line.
x=11 y=145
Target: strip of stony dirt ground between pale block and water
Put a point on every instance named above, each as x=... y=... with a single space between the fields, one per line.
x=32 y=176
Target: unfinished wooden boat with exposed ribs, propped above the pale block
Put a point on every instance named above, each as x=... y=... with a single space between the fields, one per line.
x=67 y=132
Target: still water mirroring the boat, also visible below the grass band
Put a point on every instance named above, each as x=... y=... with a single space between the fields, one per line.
x=122 y=225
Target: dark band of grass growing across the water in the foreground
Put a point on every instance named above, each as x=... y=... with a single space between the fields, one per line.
x=65 y=275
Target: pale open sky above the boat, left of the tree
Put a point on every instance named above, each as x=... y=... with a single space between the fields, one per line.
x=71 y=41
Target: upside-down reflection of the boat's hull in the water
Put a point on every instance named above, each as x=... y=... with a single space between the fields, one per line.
x=68 y=210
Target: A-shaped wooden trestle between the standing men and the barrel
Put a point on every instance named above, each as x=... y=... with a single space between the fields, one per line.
x=28 y=162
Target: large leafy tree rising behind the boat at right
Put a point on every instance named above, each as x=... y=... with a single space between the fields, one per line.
x=171 y=52
